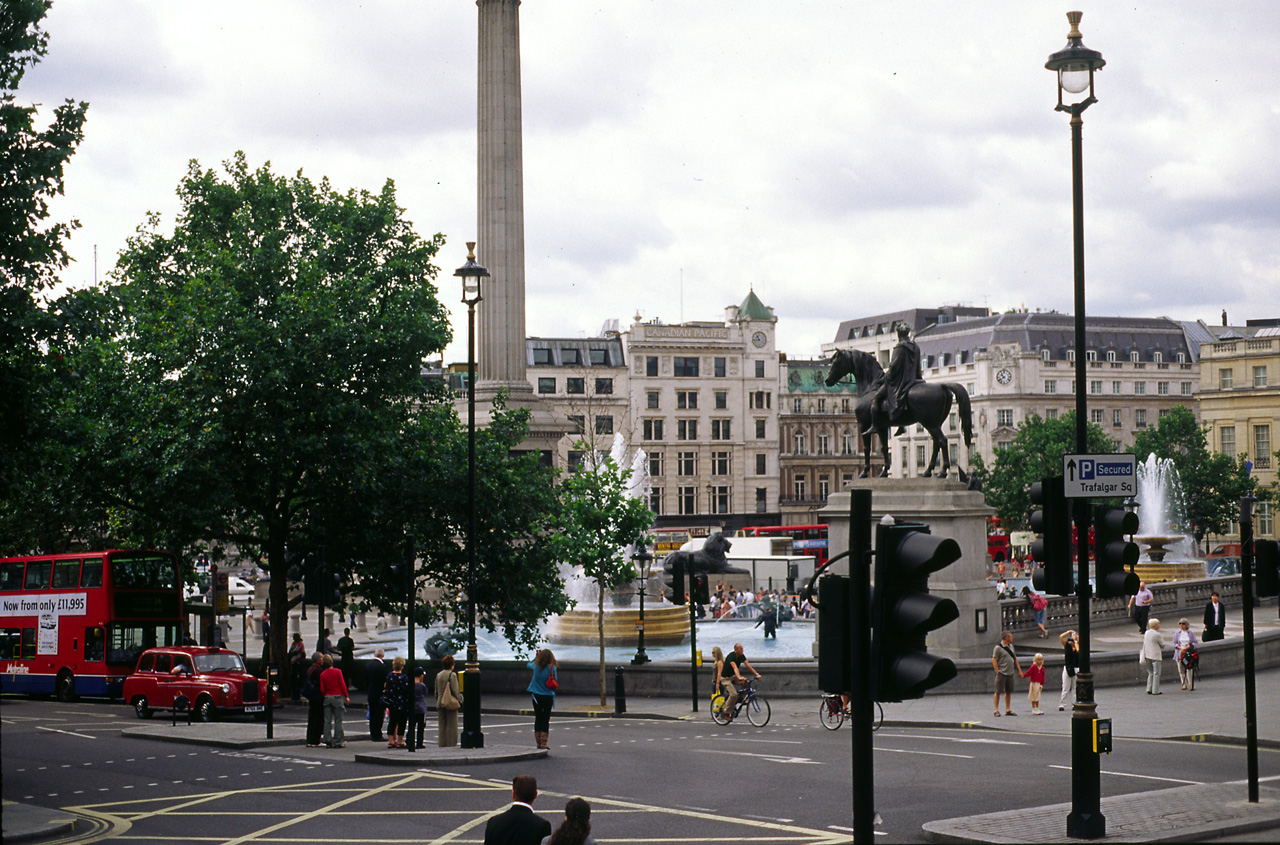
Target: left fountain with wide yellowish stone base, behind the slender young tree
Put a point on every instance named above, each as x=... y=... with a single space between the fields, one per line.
x=664 y=624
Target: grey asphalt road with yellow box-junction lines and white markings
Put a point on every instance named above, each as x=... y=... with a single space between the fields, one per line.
x=675 y=782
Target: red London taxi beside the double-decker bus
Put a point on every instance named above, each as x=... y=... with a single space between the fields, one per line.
x=212 y=679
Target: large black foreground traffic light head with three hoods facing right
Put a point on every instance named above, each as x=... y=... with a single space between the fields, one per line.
x=903 y=613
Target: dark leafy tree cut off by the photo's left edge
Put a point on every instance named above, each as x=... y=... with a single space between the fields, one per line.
x=33 y=253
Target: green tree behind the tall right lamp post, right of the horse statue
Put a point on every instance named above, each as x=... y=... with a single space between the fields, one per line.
x=1036 y=453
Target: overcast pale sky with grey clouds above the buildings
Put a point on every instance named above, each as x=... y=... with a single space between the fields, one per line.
x=840 y=158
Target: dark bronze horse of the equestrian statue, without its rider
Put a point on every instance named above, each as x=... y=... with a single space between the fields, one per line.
x=929 y=405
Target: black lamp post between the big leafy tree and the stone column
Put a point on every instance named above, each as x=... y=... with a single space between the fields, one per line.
x=472 y=275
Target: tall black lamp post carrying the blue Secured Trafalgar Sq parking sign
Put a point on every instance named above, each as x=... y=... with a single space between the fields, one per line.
x=1075 y=66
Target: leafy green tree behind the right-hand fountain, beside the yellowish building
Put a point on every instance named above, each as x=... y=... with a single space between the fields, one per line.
x=1213 y=483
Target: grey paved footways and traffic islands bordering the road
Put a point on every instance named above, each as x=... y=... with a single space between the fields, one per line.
x=1210 y=714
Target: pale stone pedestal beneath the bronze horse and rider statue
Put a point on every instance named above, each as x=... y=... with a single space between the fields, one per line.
x=953 y=511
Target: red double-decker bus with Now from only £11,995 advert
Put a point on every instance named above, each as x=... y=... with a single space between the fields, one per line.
x=75 y=624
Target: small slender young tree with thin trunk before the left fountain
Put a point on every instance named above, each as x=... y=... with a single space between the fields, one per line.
x=598 y=524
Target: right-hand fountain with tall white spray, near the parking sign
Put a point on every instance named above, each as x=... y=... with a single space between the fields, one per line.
x=1165 y=547
